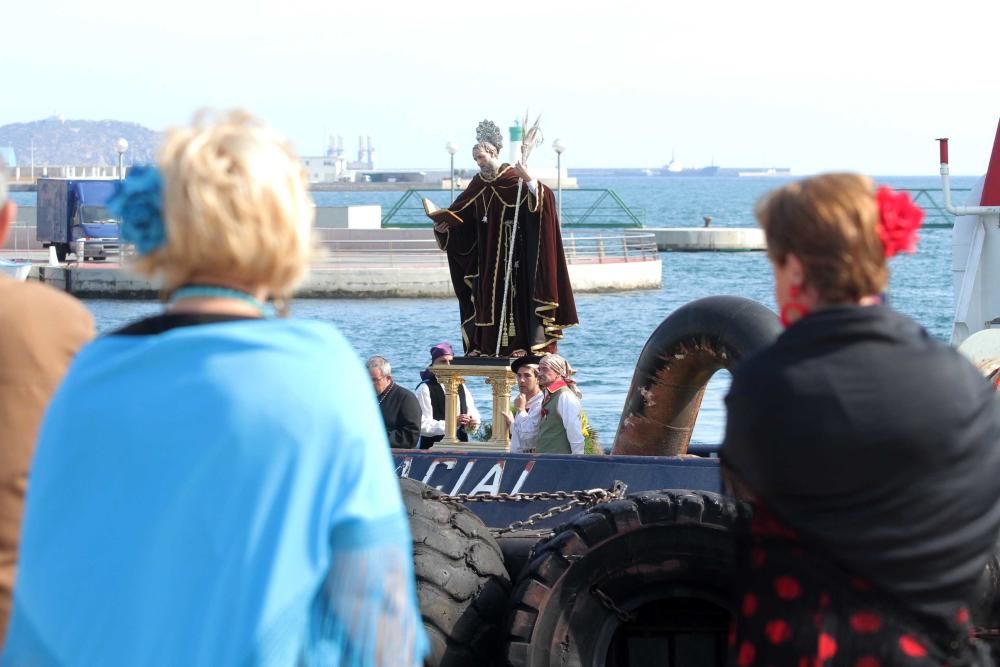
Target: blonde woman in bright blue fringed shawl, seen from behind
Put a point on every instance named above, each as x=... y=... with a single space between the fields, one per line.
x=236 y=504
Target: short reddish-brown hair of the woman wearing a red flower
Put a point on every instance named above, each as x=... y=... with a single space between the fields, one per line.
x=830 y=223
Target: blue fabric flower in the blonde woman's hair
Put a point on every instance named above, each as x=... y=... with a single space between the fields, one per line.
x=138 y=203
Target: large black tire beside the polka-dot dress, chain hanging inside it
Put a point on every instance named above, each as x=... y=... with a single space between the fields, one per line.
x=657 y=559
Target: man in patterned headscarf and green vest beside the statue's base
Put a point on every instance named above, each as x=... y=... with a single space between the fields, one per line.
x=560 y=429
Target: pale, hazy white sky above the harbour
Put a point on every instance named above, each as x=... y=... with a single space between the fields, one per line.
x=851 y=85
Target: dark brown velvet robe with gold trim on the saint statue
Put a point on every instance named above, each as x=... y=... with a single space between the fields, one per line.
x=540 y=301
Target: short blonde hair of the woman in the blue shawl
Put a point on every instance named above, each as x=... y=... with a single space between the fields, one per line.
x=236 y=207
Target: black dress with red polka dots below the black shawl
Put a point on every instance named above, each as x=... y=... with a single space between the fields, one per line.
x=796 y=608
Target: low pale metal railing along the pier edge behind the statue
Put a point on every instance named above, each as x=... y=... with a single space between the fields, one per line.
x=593 y=248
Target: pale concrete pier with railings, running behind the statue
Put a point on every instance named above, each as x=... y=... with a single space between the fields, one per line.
x=359 y=259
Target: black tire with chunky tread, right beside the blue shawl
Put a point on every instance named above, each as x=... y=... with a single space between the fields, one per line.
x=462 y=583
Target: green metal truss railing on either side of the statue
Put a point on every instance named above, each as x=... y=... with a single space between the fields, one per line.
x=581 y=207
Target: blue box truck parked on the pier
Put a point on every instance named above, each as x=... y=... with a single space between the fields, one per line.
x=71 y=211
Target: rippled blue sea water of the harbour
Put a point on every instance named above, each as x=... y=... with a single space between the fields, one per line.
x=614 y=327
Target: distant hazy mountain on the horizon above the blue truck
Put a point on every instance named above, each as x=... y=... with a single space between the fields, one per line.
x=57 y=141
